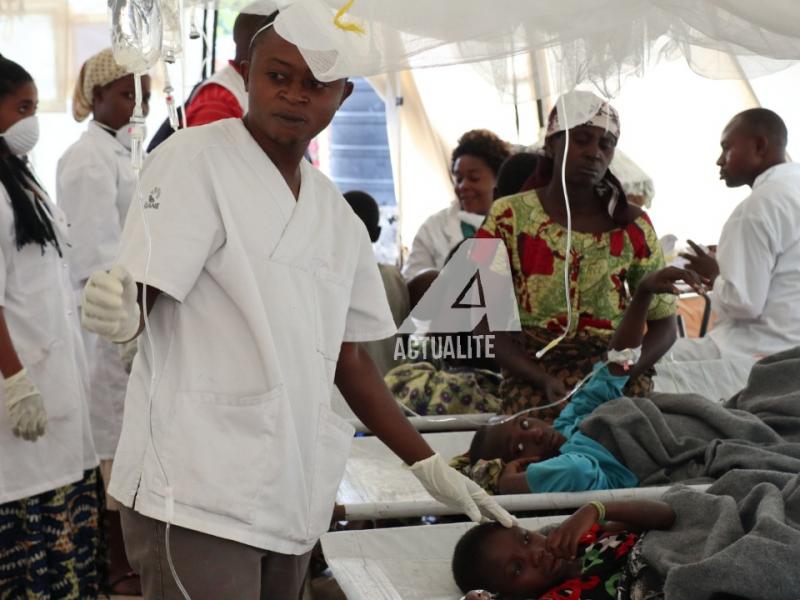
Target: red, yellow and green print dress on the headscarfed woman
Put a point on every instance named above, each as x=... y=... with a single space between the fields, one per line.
x=605 y=269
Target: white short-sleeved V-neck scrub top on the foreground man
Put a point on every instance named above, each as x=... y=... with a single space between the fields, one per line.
x=261 y=292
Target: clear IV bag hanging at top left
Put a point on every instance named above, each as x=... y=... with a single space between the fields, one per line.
x=136 y=33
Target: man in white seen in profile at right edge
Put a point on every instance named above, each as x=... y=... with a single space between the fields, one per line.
x=755 y=271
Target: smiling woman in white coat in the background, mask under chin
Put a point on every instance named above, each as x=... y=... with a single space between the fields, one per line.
x=474 y=165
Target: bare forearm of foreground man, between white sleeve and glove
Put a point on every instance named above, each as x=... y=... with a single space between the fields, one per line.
x=365 y=391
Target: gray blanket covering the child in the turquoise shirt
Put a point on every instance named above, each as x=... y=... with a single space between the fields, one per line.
x=677 y=437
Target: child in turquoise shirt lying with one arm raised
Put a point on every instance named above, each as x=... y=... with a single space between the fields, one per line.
x=537 y=457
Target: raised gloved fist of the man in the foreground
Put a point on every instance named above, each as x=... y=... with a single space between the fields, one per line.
x=109 y=306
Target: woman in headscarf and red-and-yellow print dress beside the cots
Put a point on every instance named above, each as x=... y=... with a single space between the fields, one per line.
x=613 y=247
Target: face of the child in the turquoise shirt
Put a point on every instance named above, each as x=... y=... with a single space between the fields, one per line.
x=522 y=437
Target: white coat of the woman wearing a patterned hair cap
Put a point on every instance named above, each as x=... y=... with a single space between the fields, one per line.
x=95 y=184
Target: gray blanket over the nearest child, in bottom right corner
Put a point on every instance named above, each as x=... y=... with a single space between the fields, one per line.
x=741 y=540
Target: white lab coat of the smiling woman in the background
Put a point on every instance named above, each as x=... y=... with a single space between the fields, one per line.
x=437 y=236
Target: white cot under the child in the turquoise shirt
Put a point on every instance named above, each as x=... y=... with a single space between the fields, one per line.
x=376 y=485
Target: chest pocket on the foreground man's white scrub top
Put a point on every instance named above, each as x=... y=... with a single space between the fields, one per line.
x=332 y=299
